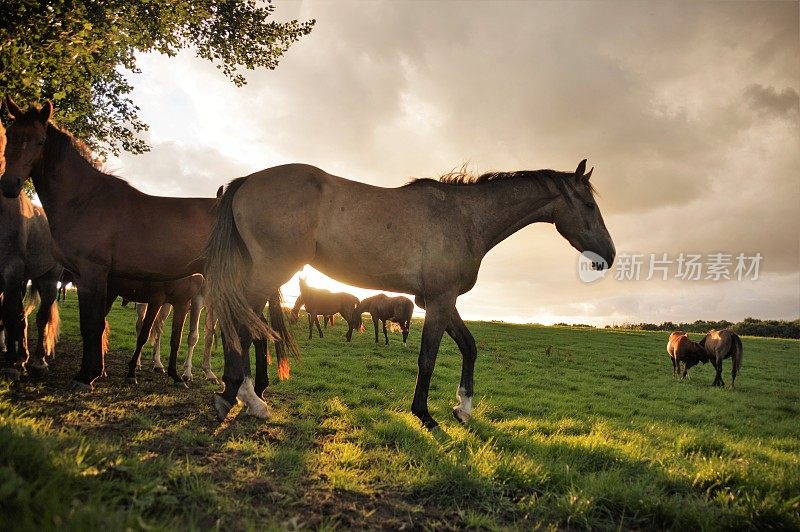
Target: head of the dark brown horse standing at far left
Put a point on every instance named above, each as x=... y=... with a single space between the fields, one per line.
x=25 y=144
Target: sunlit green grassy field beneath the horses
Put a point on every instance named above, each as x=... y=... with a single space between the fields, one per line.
x=573 y=428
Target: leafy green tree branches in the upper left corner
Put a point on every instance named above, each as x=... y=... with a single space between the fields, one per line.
x=76 y=52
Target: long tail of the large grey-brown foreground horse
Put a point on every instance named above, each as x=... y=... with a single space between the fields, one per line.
x=227 y=265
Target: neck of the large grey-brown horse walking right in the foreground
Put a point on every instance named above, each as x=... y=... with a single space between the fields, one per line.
x=501 y=208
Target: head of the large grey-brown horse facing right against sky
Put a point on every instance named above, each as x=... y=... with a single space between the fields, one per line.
x=578 y=218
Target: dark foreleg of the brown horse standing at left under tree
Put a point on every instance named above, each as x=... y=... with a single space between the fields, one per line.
x=92 y=295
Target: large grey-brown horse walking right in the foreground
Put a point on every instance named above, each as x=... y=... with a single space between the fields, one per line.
x=273 y=222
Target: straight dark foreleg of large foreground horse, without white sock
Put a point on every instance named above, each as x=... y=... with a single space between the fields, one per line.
x=436 y=319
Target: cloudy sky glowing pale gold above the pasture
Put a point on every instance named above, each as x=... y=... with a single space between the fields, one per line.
x=689 y=113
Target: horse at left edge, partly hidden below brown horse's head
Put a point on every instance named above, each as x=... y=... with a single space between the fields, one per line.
x=25 y=254
